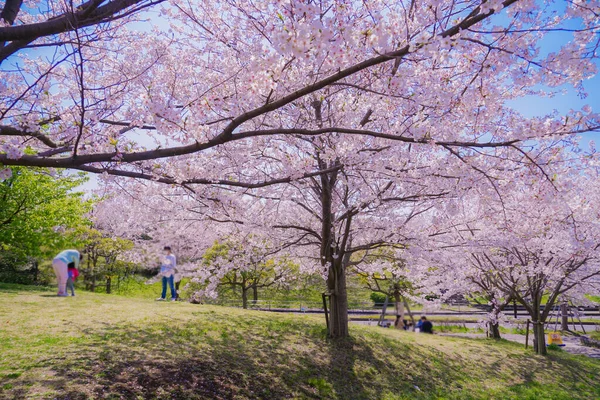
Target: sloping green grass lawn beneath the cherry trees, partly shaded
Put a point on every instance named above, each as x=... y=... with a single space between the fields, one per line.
x=111 y=347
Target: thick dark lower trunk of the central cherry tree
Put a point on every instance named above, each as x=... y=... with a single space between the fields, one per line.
x=338 y=321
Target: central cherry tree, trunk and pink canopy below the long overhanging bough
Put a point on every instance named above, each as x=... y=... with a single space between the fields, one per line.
x=358 y=204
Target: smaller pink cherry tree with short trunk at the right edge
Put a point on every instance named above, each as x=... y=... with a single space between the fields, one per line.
x=538 y=241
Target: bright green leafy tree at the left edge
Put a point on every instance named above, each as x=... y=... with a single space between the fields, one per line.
x=40 y=212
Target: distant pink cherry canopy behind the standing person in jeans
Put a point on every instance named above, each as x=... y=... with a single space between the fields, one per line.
x=153 y=216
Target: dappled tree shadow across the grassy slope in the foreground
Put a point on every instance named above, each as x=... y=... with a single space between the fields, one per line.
x=260 y=358
